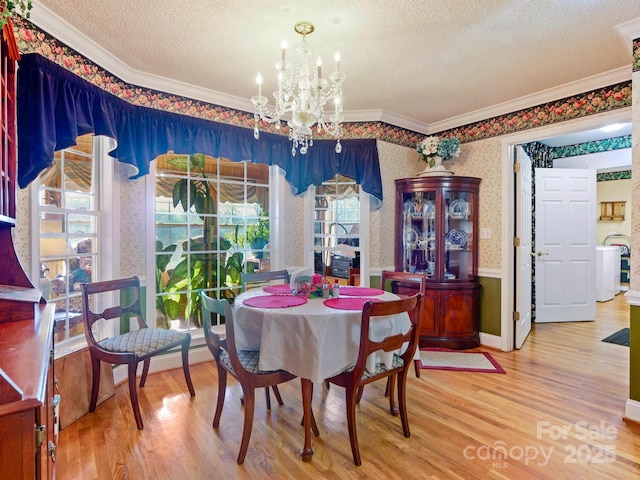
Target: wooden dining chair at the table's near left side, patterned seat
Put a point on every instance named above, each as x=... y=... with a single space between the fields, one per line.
x=240 y=364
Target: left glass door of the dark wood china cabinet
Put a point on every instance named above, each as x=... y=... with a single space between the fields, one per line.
x=419 y=232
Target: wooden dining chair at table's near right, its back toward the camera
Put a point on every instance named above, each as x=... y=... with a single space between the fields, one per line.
x=356 y=377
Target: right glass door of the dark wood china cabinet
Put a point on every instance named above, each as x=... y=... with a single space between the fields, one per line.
x=458 y=235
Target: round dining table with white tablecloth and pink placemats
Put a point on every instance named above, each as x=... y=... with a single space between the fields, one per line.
x=313 y=338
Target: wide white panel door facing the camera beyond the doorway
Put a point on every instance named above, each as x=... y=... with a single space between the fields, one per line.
x=565 y=245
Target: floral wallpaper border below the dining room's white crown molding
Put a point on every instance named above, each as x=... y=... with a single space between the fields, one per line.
x=33 y=40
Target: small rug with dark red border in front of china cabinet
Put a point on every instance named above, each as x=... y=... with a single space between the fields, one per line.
x=442 y=359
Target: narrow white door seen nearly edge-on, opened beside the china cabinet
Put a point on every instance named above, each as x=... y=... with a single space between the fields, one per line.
x=523 y=252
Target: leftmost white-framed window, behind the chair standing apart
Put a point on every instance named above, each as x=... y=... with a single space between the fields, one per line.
x=67 y=202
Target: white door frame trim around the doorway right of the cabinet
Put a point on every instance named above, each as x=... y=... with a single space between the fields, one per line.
x=510 y=278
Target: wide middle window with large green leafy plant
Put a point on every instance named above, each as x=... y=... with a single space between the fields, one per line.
x=211 y=224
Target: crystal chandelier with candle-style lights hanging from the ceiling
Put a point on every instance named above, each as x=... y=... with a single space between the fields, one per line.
x=302 y=93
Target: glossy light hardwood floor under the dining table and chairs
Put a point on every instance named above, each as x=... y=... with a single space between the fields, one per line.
x=557 y=413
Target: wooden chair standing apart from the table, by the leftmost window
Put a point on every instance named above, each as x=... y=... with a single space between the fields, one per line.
x=130 y=348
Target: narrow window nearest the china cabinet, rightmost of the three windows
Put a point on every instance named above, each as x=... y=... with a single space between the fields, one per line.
x=337 y=216
